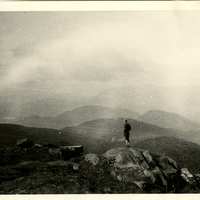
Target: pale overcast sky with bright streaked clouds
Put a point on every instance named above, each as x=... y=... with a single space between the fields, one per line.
x=93 y=51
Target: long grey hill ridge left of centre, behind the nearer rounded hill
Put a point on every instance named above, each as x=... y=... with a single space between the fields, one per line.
x=75 y=117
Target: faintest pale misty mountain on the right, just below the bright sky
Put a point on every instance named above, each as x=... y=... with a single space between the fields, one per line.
x=142 y=98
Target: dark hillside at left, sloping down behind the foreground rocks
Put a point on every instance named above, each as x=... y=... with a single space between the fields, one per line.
x=10 y=133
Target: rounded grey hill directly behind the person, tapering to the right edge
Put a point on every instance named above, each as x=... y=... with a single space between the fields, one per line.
x=113 y=128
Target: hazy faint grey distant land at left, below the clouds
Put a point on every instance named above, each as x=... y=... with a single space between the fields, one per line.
x=19 y=102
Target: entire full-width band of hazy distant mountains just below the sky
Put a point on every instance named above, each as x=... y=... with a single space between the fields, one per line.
x=19 y=102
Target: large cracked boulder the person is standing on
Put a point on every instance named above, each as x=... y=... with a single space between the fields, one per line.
x=143 y=168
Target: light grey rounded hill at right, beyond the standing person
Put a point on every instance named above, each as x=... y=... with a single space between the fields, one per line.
x=169 y=120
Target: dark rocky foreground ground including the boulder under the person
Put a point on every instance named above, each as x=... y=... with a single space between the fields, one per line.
x=47 y=169
